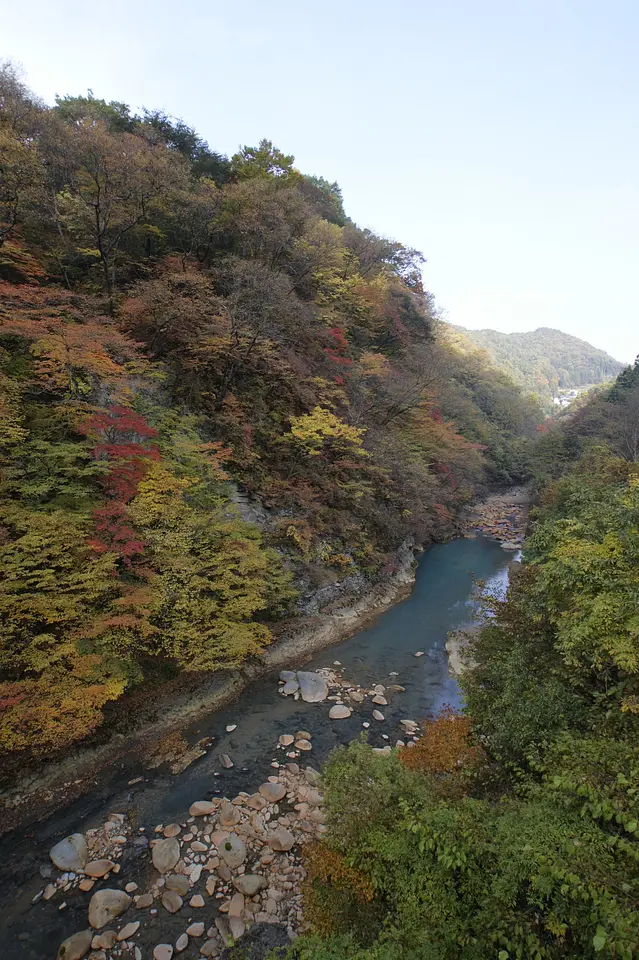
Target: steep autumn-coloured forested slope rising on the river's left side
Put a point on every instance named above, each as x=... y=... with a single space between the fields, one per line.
x=179 y=331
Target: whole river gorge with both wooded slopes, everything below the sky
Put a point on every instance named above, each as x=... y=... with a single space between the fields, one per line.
x=229 y=418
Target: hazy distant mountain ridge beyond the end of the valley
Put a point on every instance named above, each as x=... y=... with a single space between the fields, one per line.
x=544 y=361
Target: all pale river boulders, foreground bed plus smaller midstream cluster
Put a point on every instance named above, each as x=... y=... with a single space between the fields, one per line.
x=229 y=868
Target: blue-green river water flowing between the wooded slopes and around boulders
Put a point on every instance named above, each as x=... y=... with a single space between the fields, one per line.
x=442 y=600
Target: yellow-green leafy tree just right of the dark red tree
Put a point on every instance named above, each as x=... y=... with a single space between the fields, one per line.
x=212 y=576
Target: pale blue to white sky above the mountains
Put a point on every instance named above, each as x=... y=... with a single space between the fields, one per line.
x=500 y=138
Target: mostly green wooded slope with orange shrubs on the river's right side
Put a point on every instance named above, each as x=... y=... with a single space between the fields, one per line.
x=512 y=830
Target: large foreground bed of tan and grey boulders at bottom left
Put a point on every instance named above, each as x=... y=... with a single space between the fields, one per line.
x=194 y=886
